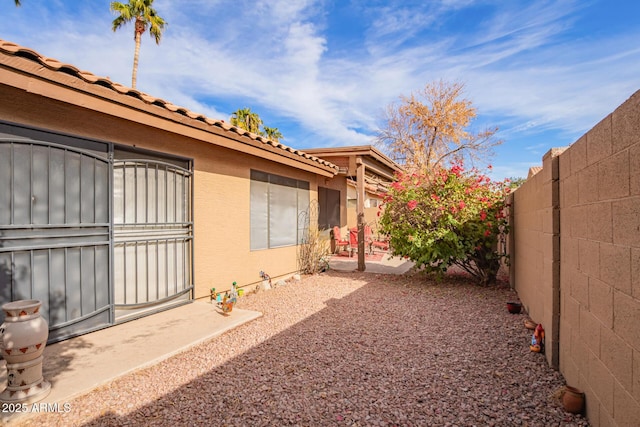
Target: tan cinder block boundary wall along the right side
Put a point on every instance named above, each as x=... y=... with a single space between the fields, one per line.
x=599 y=263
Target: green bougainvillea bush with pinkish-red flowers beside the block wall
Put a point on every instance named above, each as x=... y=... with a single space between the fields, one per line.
x=448 y=217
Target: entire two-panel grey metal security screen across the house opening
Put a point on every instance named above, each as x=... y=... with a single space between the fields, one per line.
x=99 y=234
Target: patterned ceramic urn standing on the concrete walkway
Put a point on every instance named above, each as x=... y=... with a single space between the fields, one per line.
x=23 y=336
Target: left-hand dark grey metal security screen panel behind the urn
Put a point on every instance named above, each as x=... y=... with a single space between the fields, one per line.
x=54 y=232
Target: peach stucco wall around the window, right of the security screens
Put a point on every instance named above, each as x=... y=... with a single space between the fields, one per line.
x=222 y=223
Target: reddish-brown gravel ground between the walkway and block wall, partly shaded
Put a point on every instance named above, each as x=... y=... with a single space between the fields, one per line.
x=346 y=349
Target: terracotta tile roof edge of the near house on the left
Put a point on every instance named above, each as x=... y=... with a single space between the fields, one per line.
x=13 y=49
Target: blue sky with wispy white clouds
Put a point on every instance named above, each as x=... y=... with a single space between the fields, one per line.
x=323 y=71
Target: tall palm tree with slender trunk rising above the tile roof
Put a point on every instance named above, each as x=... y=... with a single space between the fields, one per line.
x=144 y=15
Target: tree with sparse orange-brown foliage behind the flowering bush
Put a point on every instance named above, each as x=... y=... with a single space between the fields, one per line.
x=430 y=129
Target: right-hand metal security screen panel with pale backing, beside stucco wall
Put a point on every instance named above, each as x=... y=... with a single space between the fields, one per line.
x=153 y=234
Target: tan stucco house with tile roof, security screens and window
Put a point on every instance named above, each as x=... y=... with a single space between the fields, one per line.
x=115 y=204
